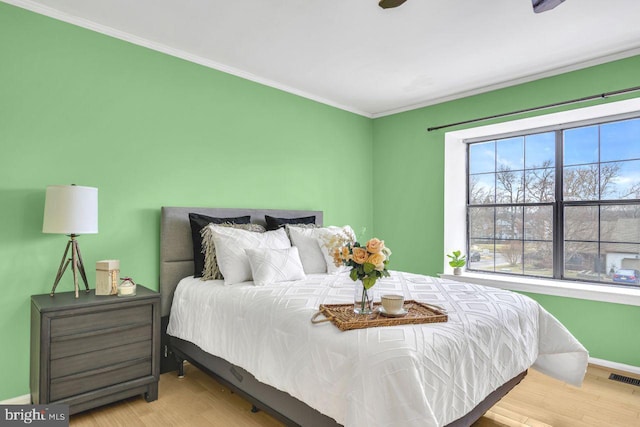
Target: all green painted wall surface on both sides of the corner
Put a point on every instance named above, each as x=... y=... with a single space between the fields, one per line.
x=150 y=130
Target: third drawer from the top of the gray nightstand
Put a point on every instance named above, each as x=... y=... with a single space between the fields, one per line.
x=100 y=359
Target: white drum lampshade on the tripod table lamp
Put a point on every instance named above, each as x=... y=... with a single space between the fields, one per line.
x=70 y=209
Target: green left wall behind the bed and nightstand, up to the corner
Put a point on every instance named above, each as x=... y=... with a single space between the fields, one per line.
x=148 y=130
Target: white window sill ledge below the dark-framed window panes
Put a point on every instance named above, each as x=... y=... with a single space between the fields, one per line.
x=592 y=292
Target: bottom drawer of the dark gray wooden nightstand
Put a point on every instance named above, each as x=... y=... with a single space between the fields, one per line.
x=99 y=378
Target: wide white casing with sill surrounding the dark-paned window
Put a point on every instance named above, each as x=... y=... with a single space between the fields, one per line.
x=455 y=229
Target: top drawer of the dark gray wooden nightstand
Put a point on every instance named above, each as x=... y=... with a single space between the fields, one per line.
x=104 y=319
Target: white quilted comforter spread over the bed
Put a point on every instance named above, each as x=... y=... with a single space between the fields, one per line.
x=414 y=375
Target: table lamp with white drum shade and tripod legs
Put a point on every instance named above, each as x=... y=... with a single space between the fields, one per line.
x=71 y=210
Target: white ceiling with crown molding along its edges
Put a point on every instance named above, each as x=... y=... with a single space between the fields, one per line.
x=354 y=55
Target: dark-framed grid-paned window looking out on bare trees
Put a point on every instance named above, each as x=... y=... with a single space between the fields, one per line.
x=561 y=203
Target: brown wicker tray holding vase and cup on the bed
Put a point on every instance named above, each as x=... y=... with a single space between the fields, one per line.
x=345 y=319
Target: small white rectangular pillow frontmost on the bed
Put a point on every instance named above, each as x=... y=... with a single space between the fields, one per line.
x=275 y=265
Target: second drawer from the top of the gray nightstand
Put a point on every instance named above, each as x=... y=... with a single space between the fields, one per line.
x=70 y=345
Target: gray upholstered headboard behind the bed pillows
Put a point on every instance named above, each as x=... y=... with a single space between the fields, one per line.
x=176 y=250
